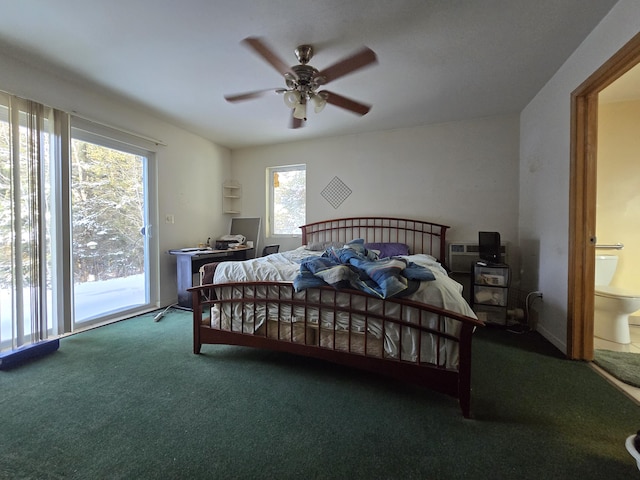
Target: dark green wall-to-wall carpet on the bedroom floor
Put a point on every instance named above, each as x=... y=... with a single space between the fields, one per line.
x=130 y=401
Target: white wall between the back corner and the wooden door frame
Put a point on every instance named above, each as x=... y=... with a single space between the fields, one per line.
x=544 y=169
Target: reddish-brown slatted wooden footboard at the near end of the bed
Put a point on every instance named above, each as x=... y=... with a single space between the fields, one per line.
x=400 y=338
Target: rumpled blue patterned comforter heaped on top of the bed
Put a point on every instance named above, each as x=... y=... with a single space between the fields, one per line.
x=355 y=267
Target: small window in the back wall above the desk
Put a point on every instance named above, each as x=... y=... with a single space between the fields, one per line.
x=287 y=202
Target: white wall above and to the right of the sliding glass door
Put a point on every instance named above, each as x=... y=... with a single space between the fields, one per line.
x=189 y=166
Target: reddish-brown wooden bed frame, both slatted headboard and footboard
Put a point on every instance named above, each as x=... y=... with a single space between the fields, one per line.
x=359 y=350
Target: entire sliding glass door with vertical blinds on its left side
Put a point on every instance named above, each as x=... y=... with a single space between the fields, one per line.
x=76 y=199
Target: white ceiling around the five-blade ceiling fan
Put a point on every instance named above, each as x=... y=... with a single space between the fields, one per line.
x=438 y=60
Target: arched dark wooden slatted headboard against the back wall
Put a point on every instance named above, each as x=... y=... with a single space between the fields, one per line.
x=420 y=236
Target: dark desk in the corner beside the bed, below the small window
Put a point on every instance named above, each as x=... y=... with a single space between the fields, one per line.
x=189 y=262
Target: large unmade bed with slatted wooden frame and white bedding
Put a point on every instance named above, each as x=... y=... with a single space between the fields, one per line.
x=422 y=334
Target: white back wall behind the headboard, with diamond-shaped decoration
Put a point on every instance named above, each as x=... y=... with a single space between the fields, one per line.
x=462 y=174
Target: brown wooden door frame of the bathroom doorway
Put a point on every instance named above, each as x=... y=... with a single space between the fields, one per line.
x=582 y=198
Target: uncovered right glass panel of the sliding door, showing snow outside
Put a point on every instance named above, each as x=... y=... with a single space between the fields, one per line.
x=110 y=227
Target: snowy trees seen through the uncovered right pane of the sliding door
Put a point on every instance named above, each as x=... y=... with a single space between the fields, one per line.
x=108 y=212
